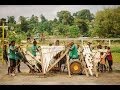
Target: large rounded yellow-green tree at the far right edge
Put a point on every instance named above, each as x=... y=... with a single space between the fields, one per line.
x=107 y=22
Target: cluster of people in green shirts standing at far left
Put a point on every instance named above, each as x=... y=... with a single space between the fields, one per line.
x=12 y=58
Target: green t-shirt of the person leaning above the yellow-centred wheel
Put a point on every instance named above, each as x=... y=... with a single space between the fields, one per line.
x=73 y=54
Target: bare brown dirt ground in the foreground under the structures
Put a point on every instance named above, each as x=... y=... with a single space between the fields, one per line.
x=25 y=78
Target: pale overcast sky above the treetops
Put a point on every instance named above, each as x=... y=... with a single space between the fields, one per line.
x=49 y=11
